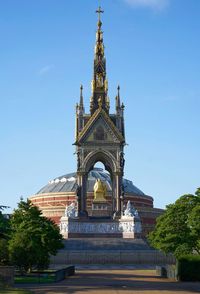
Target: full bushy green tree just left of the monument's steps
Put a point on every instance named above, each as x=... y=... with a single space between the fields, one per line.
x=33 y=238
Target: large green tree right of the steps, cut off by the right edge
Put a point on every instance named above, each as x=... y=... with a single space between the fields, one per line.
x=176 y=230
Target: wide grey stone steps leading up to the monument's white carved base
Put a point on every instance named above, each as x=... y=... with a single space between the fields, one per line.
x=110 y=251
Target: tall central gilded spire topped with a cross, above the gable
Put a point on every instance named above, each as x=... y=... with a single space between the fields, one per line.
x=99 y=82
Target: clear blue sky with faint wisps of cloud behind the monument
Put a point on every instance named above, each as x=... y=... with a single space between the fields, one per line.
x=152 y=51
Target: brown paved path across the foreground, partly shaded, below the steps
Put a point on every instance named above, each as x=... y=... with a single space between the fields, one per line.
x=126 y=281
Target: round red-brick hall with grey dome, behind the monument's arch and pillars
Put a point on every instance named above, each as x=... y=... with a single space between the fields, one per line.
x=60 y=192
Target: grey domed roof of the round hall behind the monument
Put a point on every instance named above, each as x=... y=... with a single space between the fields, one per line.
x=68 y=183
